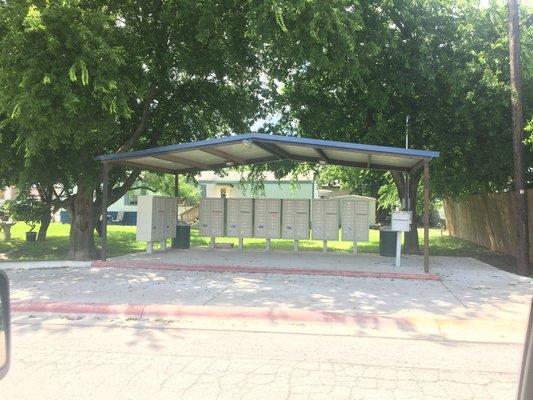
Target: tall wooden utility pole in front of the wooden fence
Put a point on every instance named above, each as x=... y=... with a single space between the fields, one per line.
x=522 y=254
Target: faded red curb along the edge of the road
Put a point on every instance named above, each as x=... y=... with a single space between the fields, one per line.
x=216 y=312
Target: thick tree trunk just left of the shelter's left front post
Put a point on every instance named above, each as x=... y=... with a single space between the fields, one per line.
x=82 y=226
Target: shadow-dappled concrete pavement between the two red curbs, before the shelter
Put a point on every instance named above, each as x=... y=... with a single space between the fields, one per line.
x=468 y=291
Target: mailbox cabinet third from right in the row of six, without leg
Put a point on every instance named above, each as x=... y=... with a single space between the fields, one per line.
x=295 y=219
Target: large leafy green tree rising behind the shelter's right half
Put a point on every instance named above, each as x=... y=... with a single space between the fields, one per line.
x=356 y=77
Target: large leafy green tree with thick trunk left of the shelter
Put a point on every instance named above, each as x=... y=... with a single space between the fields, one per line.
x=85 y=78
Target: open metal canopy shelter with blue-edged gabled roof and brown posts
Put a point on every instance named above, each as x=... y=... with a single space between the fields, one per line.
x=255 y=148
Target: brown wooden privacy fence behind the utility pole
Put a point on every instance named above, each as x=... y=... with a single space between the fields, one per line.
x=488 y=220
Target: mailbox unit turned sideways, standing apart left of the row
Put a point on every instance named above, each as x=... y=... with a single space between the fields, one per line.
x=156 y=220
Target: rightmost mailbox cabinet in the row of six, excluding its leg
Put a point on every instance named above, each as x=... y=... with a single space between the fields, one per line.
x=354 y=220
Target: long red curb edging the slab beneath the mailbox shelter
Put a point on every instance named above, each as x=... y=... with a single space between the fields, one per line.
x=263 y=270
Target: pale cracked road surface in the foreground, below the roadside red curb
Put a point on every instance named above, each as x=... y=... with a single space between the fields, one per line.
x=79 y=358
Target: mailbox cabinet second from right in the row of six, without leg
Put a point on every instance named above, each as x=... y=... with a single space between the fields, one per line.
x=325 y=219
